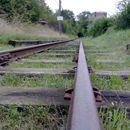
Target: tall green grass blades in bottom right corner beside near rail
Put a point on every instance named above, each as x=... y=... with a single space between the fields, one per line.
x=114 y=119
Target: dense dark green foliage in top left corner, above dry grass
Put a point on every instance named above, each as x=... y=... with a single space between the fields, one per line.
x=26 y=10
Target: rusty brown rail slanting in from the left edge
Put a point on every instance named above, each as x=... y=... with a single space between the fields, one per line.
x=12 y=55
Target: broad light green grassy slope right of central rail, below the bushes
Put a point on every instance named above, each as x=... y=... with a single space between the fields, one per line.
x=113 y=43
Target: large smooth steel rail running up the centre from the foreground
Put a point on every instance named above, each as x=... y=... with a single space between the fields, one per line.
x=83 y=113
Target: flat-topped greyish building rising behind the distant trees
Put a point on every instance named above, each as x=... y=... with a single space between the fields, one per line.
x=98 y=15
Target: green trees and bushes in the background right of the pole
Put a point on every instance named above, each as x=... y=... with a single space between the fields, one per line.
x=88 y=27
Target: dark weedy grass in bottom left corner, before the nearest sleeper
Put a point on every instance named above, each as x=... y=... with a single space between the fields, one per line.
x=32 y=118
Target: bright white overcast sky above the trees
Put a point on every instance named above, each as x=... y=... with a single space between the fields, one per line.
x=77 y=6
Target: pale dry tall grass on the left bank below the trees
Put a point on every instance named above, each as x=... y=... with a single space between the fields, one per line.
x=17 y=30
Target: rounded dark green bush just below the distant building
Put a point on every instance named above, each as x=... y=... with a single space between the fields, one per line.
x=99 y=27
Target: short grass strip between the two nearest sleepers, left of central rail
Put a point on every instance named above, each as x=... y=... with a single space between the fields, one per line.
x=48 y=81
